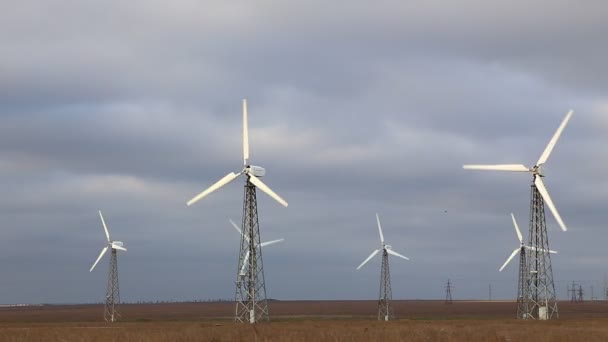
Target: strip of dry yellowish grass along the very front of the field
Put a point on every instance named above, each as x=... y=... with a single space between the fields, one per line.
x=321 y=330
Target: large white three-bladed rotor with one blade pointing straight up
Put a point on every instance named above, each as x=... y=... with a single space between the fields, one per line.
x=252 y=172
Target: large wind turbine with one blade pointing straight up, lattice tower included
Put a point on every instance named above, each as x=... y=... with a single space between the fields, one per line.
x=250 y=293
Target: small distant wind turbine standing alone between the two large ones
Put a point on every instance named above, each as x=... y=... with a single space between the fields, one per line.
x=385 y=310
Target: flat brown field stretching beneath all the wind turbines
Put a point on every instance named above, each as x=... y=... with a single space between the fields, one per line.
x=305 y=321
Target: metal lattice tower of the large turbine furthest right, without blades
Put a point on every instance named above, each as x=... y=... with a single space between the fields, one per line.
x=540 y=300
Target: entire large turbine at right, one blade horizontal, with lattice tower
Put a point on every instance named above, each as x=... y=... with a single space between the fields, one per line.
x=540 y=295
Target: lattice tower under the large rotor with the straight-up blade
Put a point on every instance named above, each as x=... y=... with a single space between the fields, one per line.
x=250 y=294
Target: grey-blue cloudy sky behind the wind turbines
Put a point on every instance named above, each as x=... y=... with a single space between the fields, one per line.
x=355 y=108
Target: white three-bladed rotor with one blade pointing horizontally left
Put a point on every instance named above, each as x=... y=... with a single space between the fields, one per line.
x=536 y=170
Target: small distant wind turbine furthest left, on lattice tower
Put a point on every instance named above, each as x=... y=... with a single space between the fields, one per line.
x=111 y=312
